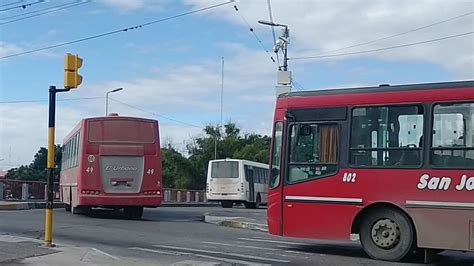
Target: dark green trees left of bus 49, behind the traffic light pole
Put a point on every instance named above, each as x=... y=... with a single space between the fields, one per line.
x=36 y=171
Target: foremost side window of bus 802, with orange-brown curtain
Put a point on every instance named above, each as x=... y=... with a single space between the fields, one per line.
x=313 y=151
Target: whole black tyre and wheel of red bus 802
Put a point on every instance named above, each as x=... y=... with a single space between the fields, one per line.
x=387 y=234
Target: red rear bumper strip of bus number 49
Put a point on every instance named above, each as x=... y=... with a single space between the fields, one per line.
x=107 y=200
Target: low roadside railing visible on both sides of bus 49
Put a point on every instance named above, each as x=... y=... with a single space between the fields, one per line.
x=12 y=189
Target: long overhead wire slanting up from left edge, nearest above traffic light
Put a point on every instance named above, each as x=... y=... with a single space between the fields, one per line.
x=119 y=30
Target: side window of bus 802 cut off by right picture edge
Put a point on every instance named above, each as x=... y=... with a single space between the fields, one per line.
x=453 y=136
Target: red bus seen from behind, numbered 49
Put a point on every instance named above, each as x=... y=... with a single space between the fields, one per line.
x=112 y=162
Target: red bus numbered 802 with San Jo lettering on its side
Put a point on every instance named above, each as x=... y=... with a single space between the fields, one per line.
x=390 y=165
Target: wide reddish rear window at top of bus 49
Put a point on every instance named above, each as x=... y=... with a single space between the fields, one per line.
x=116 y=131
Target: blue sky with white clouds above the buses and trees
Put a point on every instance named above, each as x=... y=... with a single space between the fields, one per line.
x=171 y=69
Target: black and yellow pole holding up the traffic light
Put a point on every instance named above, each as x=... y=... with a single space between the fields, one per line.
x=48 y=225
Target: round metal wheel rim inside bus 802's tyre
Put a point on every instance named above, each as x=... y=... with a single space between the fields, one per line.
x=385 y=233
